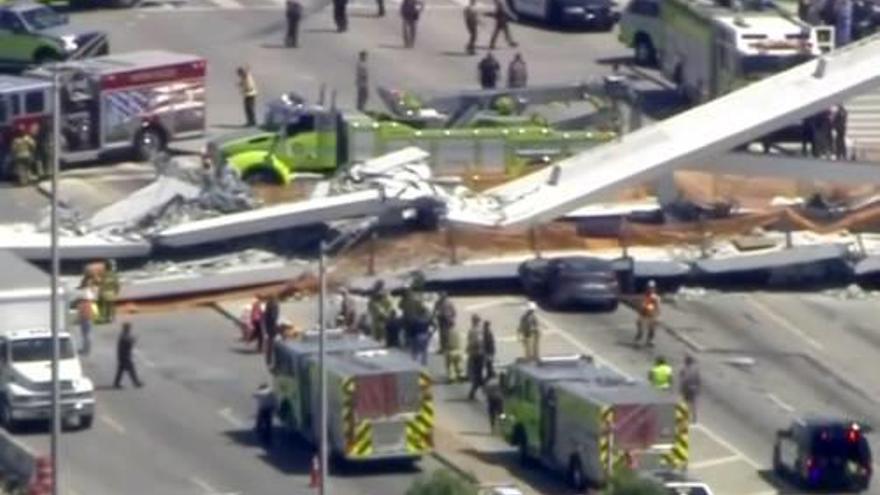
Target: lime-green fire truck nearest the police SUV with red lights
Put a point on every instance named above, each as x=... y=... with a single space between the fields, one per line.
x=583 y=420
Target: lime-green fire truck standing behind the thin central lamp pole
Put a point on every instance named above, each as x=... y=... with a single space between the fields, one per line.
x=379 y=401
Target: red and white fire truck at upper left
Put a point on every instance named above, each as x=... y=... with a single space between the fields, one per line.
x=132 y=103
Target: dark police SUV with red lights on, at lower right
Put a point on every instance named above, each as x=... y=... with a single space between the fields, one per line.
x=824 y=453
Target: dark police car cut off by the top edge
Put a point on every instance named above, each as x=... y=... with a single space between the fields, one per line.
x=597 y=14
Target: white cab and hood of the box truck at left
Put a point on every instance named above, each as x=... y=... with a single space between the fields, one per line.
x=26 y=379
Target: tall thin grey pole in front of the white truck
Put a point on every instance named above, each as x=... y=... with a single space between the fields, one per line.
x=53 y=312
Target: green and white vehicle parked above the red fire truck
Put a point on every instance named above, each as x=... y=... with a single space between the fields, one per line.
x=32 y=34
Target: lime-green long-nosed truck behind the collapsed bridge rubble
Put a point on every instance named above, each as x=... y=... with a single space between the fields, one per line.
x=462 y=137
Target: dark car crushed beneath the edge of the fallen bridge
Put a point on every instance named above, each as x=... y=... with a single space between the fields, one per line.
x=571 y=281
